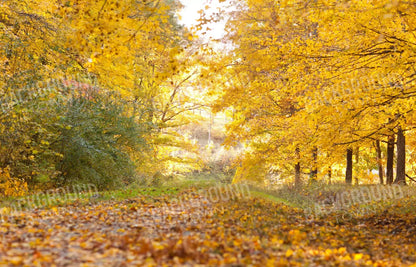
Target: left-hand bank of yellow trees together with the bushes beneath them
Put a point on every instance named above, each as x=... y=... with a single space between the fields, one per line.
x=93 y=91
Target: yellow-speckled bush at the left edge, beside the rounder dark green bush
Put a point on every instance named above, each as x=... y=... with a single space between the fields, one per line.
x=28 y=128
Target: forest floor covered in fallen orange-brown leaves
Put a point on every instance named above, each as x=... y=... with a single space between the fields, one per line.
x=206 y=227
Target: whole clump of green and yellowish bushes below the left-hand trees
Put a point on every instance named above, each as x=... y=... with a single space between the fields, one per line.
x=57 y=135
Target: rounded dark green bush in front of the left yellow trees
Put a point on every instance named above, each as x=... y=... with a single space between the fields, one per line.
x=98 y=140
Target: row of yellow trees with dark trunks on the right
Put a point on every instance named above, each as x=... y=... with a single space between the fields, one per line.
x=312 y=83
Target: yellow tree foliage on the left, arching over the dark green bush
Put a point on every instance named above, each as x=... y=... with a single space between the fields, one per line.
x=130 y=47
